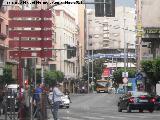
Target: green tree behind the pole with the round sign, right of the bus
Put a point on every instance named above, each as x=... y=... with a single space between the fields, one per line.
x=117 y=75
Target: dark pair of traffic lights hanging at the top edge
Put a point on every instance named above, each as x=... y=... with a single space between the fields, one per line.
x=104 y=8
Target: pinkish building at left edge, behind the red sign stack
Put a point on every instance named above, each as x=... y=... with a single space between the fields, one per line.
x=4 y=39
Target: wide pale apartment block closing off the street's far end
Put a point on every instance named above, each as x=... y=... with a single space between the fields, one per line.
x=112 y=34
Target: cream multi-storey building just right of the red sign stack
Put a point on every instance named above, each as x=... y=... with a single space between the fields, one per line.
x=65 y=46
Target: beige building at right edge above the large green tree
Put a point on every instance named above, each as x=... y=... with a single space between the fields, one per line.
x=148 y=26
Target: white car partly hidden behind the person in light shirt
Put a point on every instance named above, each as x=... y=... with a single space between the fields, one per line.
x=65 y=100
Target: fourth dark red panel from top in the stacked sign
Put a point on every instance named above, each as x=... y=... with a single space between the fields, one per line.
x=27 y=43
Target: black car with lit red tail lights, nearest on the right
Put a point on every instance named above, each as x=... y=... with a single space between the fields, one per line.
x=136 y=101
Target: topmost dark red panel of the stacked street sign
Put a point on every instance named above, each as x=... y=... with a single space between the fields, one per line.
x=30 y=13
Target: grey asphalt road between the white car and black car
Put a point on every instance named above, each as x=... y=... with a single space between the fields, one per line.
x=100 y=106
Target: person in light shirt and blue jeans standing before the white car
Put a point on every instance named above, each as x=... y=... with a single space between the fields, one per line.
x=56 y=99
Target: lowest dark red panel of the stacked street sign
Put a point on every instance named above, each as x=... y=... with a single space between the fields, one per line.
x=28 y=54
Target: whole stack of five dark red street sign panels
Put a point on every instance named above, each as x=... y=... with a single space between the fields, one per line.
x=32 y=23
